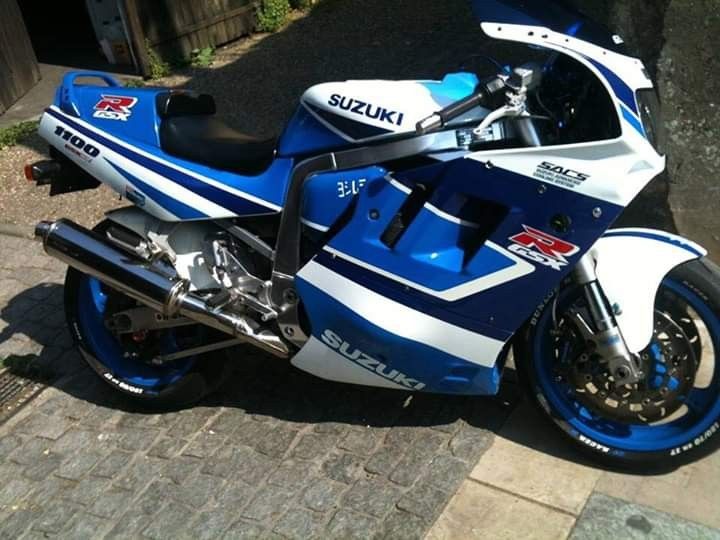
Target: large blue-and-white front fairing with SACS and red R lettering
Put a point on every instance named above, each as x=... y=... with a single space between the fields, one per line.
x=450 y=285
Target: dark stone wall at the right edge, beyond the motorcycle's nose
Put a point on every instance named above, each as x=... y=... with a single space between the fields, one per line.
x=689 y=77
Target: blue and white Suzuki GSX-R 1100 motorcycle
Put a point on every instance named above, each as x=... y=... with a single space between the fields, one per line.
x=405 y=235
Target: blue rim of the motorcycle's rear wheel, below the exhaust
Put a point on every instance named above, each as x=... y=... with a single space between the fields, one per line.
x=92 y=305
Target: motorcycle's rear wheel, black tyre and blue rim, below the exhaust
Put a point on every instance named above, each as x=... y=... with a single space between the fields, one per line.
x=171 y=386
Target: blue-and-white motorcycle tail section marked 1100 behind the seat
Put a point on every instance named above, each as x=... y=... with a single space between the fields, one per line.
x=112 y=135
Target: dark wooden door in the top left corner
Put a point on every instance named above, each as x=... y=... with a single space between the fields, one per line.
x=19 y=70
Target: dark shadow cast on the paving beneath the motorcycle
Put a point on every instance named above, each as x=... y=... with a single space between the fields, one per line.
x=264 y=386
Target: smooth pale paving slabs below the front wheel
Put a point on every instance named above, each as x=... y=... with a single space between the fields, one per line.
x=529 y=484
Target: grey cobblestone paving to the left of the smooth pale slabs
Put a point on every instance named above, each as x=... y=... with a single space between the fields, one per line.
x=275 y=454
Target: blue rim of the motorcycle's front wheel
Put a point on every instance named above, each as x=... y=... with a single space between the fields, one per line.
x=703 y=404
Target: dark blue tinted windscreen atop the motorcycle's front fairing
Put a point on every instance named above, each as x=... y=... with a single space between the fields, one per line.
x=557 y=15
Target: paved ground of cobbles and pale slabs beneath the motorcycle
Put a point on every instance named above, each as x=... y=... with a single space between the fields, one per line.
x=277 y=453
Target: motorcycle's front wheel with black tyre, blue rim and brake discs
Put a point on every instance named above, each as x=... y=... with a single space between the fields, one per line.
x=672 y=416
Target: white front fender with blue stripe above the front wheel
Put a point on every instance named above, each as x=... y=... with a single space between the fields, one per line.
x=630 y=266
